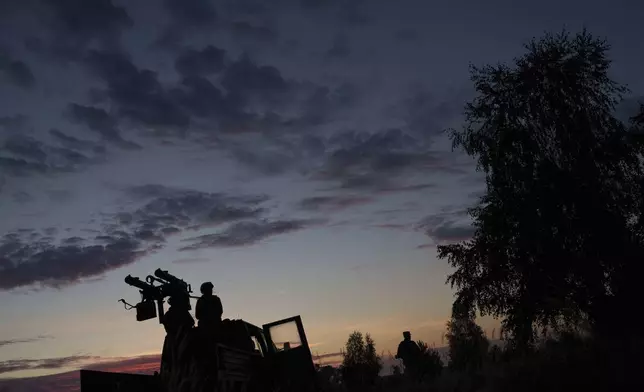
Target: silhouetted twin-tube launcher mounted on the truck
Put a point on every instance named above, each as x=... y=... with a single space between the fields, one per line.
x=169 y=286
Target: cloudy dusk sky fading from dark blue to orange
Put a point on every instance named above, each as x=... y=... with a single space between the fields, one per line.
x=292 y=152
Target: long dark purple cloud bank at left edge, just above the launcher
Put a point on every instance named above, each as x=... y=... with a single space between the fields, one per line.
x=41 y=262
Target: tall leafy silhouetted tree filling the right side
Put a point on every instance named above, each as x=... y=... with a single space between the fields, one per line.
x=558 y=233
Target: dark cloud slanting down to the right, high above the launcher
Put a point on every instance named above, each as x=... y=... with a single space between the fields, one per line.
x=137 y=93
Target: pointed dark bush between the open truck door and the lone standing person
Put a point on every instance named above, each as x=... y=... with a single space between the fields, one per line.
x=361 y=363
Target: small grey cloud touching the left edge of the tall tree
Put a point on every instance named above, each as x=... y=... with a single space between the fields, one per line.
x=448 y=227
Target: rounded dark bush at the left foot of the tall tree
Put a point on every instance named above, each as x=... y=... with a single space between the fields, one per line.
x=468 y=345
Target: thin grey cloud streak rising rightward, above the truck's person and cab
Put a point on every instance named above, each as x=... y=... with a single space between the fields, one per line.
x=247 y=233
